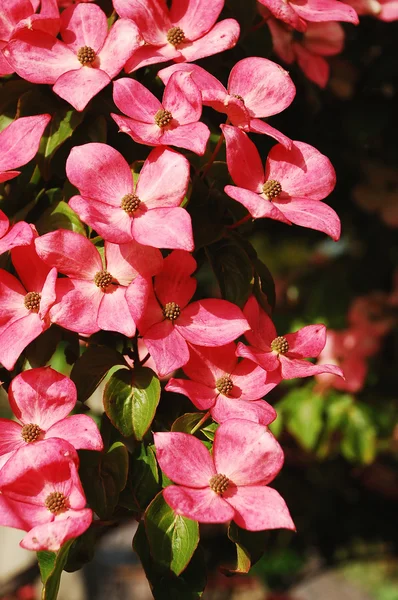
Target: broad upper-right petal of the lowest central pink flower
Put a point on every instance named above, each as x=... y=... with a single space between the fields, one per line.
x=247 y=453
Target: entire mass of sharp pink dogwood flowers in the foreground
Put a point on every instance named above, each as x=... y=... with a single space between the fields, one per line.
x=130 y=285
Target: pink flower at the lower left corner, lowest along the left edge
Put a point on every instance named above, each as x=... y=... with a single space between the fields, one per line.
x=40 y=492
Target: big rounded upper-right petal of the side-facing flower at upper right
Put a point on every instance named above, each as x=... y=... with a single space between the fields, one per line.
x=266 y=88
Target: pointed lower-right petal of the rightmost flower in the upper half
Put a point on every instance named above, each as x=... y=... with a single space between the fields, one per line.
x=312 y=214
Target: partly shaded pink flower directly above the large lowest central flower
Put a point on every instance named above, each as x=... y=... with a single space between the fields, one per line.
x=217 y=382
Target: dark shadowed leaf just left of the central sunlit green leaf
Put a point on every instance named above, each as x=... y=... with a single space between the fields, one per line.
x=90 y=369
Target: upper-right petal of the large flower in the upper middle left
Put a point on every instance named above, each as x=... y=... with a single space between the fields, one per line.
x=163 y=179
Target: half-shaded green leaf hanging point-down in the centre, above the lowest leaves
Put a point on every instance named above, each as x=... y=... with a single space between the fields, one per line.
x=131 y=397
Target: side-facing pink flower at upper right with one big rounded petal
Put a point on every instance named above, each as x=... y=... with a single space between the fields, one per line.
x=257 y=88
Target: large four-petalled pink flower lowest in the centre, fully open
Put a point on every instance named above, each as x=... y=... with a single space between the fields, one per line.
x=231 y=483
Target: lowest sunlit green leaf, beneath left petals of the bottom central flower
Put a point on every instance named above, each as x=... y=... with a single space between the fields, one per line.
x=172 y=538
